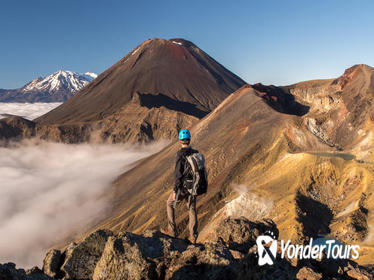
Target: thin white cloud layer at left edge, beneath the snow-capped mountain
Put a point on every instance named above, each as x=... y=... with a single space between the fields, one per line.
x=27 y=110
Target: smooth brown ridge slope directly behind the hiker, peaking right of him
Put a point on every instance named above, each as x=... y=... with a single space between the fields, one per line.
x=240 y=132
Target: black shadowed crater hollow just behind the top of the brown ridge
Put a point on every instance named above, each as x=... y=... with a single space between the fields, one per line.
x=280 y=100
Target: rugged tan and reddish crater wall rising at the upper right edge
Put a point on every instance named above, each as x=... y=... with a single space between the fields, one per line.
x=341 y=110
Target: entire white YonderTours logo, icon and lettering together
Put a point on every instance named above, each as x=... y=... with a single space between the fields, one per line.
x=267 y=246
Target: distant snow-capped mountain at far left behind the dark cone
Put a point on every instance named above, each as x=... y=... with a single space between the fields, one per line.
x=58 y=87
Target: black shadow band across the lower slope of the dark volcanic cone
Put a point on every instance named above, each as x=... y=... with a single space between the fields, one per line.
x=151 y=101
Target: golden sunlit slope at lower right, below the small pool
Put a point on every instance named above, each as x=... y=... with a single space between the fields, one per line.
x=309 y=195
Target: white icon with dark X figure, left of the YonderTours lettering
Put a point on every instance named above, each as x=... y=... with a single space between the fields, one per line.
x=267 y=249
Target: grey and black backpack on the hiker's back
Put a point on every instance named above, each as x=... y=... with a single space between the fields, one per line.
x=195 y=177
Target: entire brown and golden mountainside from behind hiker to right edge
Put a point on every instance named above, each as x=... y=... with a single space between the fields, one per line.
x=268 y=162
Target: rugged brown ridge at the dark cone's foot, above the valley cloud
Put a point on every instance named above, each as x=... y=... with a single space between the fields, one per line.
x=133 y=123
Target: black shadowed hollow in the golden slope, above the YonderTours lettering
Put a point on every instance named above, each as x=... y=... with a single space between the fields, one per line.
x=313 y=215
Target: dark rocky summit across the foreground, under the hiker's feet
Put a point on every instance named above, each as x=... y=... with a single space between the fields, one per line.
x=231 y=254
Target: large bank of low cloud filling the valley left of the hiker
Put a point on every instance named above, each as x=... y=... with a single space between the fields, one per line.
x=49 y=189
